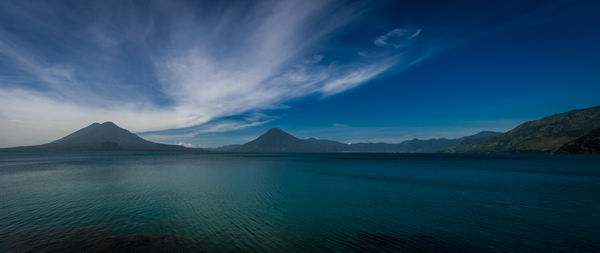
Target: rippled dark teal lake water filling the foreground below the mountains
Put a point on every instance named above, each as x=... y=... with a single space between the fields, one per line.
x=298 y=202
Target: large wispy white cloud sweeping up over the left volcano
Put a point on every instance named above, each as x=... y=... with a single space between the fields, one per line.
x=168 y=66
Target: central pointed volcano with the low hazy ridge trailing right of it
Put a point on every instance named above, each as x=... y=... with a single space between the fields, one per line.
x=276 y=140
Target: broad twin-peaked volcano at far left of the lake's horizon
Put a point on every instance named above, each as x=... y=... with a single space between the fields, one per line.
x=101 y=137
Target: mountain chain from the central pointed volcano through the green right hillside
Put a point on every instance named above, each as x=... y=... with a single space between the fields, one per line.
x=546 y=135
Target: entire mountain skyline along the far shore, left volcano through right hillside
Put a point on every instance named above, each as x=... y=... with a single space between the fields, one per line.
x=573 y=132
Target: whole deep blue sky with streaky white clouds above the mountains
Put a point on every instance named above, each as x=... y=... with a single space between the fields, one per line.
x=211 y=73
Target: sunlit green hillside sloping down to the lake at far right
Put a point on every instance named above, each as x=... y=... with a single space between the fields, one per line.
x=545 y=135
